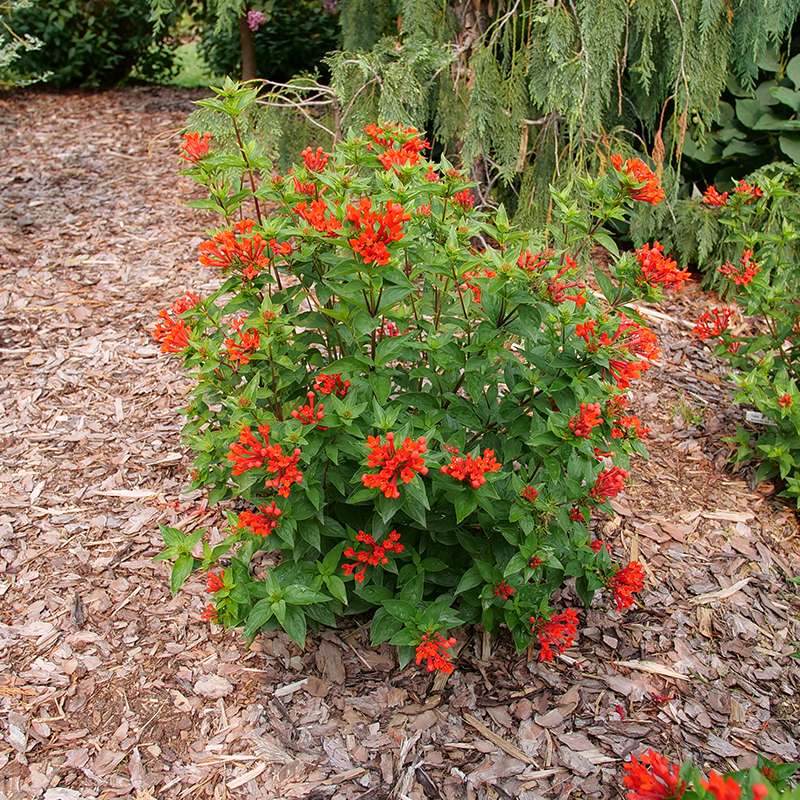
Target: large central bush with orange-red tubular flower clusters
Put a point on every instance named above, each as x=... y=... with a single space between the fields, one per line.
x=410 y=407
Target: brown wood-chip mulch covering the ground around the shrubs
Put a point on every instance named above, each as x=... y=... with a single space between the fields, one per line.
x=110 y=688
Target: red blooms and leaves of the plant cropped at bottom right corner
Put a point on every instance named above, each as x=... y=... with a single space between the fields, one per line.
x=651 y=776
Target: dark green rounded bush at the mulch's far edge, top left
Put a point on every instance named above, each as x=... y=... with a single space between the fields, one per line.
x=90 y=42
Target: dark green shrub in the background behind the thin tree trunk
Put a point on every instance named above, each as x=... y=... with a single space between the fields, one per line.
x=295 y=39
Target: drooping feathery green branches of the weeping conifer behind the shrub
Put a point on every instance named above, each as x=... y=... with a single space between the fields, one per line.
x=537 y=90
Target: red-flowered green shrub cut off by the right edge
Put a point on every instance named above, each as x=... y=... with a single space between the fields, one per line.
x=762 y=282
